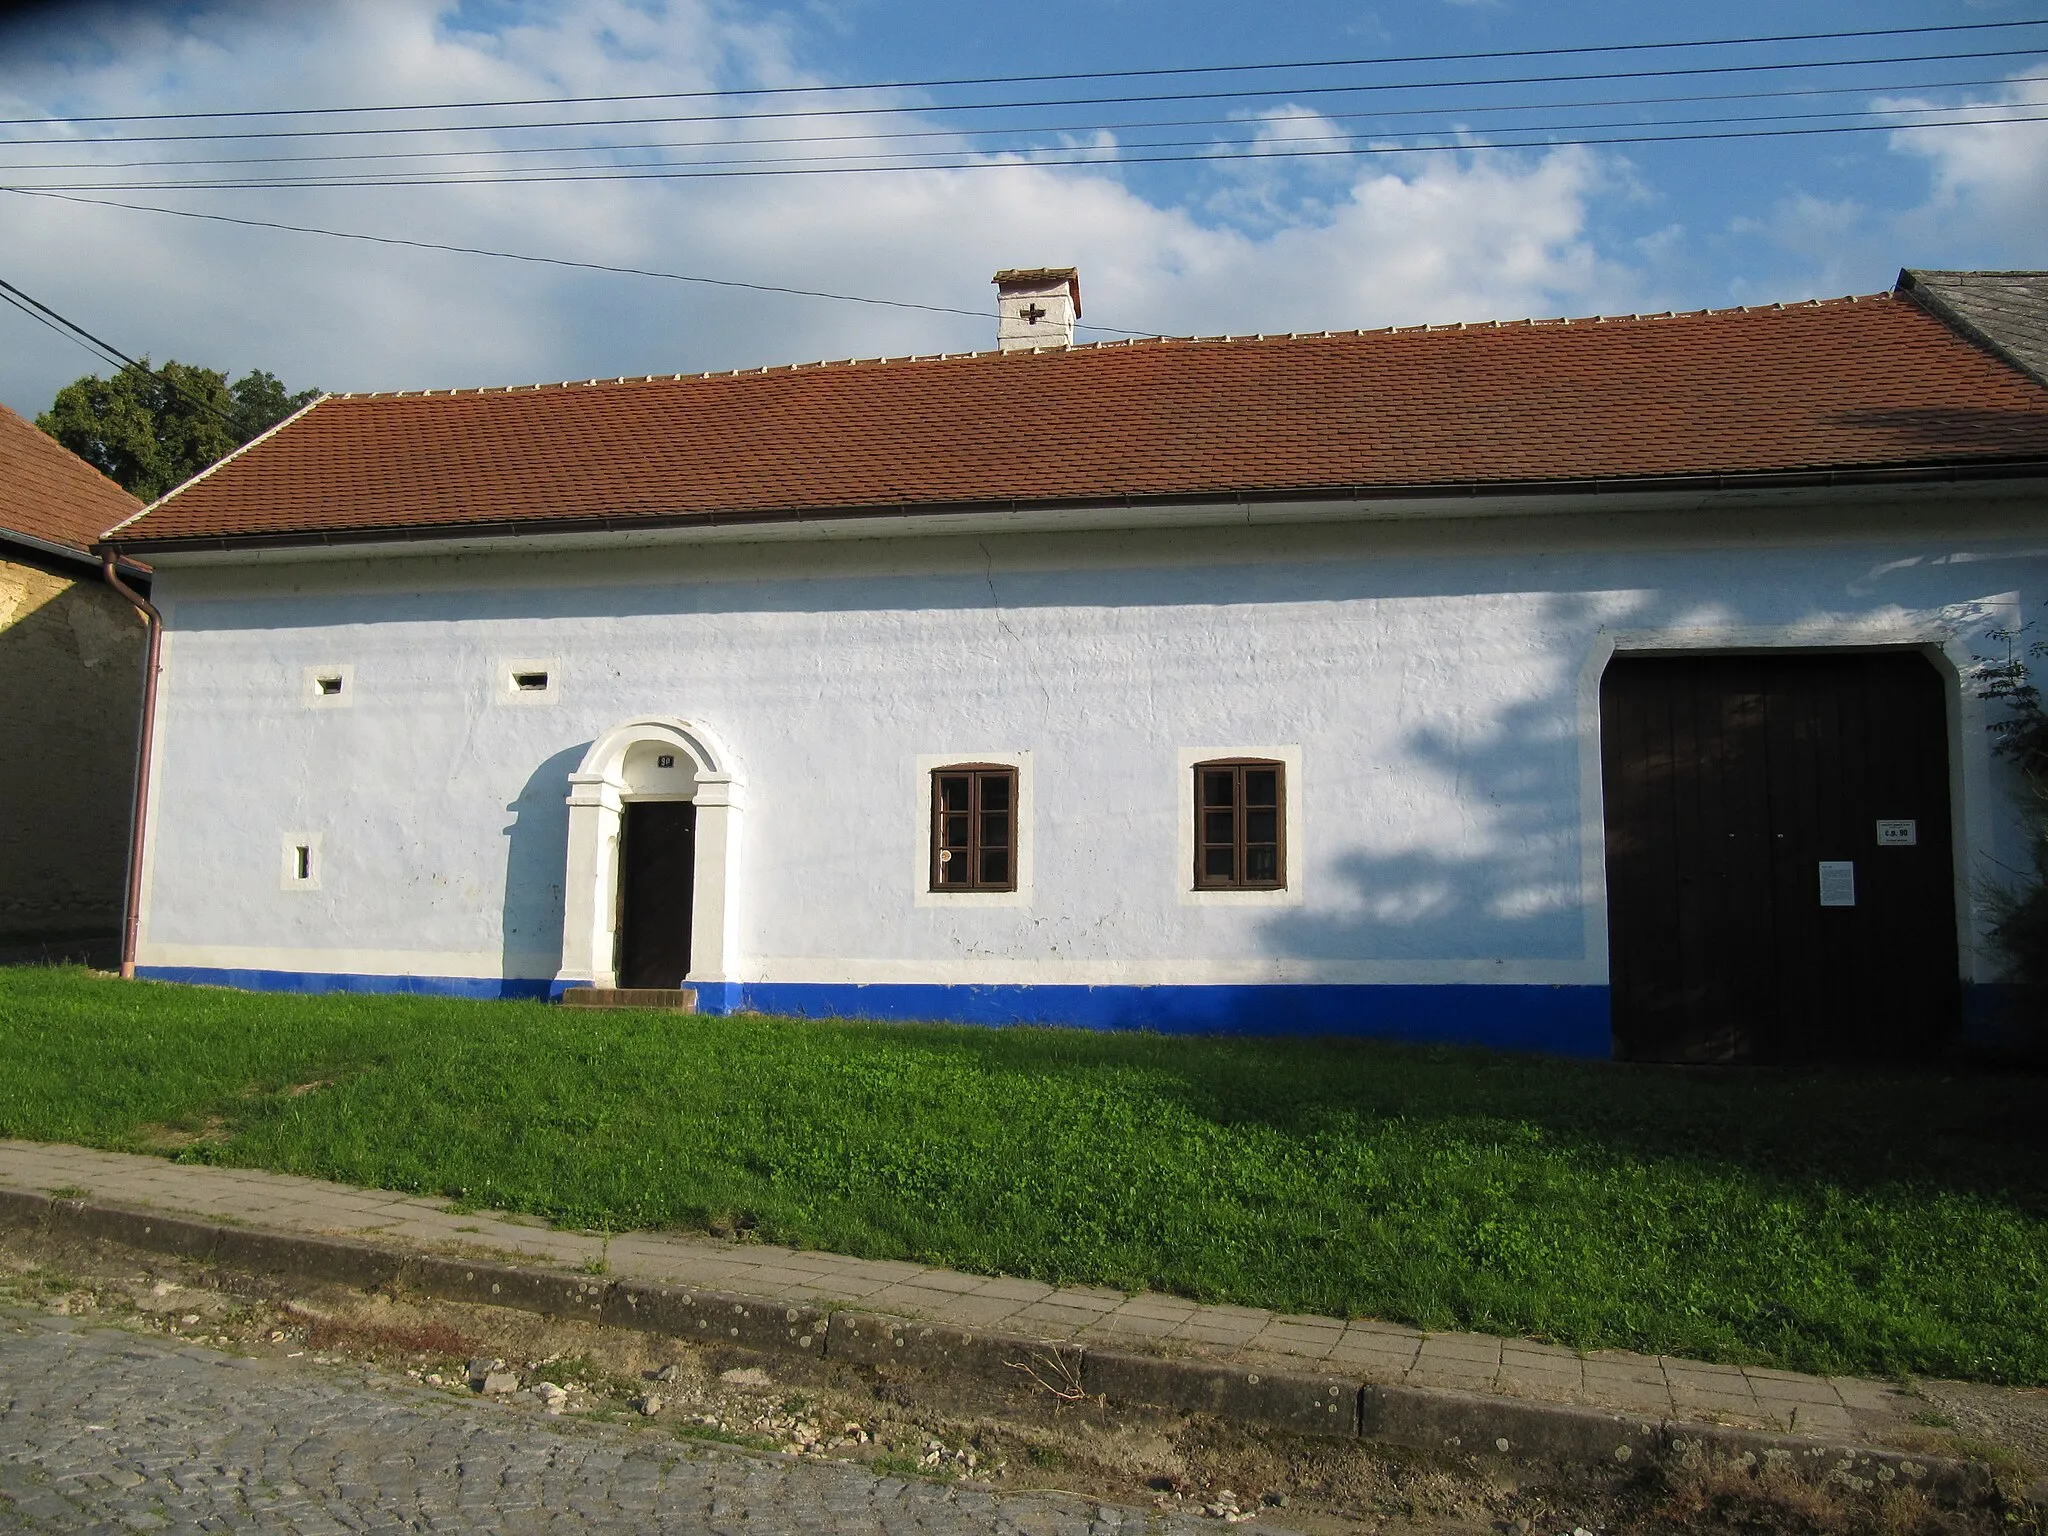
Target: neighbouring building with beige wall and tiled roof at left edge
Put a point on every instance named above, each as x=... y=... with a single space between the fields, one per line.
x=71 y=689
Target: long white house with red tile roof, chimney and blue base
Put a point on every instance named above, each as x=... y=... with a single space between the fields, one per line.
x=1562 y=685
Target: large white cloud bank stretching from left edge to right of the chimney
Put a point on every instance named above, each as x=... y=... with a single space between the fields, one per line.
x=1383 y=243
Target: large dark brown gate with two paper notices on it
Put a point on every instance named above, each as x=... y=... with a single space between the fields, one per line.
x=1781 y=884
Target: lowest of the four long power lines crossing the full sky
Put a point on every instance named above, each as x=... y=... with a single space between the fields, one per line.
x=1105 y=157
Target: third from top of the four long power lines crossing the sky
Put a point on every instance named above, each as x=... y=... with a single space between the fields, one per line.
x=1041 y=128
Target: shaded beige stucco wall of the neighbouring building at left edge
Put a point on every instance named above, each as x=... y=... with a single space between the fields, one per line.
x=71 y=687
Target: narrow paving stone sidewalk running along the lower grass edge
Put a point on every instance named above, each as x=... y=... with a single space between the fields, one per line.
x=1377 y=1353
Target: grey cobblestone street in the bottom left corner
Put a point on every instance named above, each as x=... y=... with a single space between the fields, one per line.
x=110 y=1431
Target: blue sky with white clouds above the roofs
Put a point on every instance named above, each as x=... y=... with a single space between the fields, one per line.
x=1256 y=243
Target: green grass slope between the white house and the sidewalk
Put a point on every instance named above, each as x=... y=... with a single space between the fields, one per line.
x=1820 y=1222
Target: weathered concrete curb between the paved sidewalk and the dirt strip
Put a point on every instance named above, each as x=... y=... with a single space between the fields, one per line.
x=1469 y=1426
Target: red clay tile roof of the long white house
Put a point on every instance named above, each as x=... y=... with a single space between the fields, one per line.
x=1809 y=388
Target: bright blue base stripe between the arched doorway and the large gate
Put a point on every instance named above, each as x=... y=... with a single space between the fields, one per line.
x=1562 y=1021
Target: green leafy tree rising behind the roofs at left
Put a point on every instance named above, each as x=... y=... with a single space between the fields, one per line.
x=153 y=429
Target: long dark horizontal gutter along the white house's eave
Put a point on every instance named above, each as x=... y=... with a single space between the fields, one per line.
x=1924 y=474
